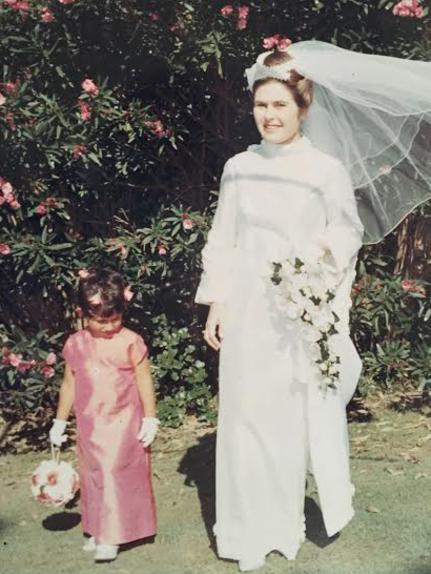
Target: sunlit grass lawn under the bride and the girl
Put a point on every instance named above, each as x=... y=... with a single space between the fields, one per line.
x=390 y=533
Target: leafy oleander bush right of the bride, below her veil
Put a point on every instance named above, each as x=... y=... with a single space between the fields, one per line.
x=391 y=327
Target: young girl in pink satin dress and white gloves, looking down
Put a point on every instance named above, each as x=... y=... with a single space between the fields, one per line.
x=108 y=381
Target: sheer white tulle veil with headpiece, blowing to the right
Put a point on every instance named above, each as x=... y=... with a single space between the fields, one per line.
x=374 y=114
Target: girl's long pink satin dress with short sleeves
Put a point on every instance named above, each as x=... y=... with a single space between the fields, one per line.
x=117 y=501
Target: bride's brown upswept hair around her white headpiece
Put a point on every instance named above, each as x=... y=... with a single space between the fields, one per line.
x=301 y=88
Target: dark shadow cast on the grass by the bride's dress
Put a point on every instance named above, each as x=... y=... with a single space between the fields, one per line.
x=198 y=466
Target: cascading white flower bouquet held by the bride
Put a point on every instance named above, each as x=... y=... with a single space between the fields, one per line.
x=306 y=294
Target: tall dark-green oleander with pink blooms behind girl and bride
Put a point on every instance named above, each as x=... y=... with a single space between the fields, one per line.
x=115 y=121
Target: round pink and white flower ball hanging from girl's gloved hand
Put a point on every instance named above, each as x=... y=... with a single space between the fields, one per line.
x=54 y=483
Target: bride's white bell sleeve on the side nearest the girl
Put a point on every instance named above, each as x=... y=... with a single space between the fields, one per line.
x=217 y=255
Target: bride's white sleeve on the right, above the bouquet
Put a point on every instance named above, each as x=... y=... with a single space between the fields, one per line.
x=343 y=234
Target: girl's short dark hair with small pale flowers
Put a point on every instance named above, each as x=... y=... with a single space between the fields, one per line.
x=101 y=293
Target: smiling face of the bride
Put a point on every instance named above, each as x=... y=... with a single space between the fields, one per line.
x=276 y=113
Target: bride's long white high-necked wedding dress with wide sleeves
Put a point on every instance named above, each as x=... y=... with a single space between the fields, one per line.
x=277 y=200
